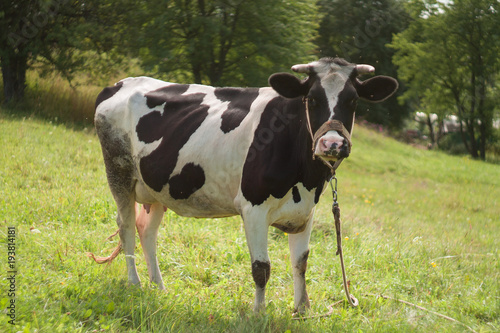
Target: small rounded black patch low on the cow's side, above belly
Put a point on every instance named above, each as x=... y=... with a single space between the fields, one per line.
x=189 y=180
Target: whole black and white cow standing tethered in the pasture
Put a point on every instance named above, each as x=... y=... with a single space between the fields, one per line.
x=214 y=152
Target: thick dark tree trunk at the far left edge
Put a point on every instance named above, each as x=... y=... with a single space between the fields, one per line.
x=14 y=76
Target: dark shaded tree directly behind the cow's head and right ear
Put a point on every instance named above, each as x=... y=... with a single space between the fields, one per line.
x=359 y=30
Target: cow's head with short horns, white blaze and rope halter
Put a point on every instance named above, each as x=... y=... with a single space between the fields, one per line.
x=331 y=92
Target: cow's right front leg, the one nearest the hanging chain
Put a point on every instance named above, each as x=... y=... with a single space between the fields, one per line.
x=299 y=253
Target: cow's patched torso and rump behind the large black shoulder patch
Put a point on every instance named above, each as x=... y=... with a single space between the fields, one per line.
x=186 y=143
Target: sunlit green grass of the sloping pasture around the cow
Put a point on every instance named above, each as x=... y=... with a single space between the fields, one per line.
x=421 y=226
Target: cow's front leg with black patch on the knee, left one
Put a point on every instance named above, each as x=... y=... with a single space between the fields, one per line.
x=256 y=234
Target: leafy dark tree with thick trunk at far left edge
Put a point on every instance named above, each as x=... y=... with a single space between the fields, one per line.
x=54 y=34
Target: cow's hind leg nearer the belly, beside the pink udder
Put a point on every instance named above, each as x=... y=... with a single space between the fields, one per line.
x=147 y=223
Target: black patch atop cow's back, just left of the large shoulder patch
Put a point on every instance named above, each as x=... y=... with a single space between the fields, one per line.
x=238 y=108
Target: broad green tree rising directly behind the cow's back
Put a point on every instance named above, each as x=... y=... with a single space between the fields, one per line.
x=222 y=42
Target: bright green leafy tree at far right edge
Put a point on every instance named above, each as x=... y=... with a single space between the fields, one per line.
x=449 y=58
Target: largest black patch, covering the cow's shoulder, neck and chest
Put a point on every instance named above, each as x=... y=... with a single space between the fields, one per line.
x=280 y=154
